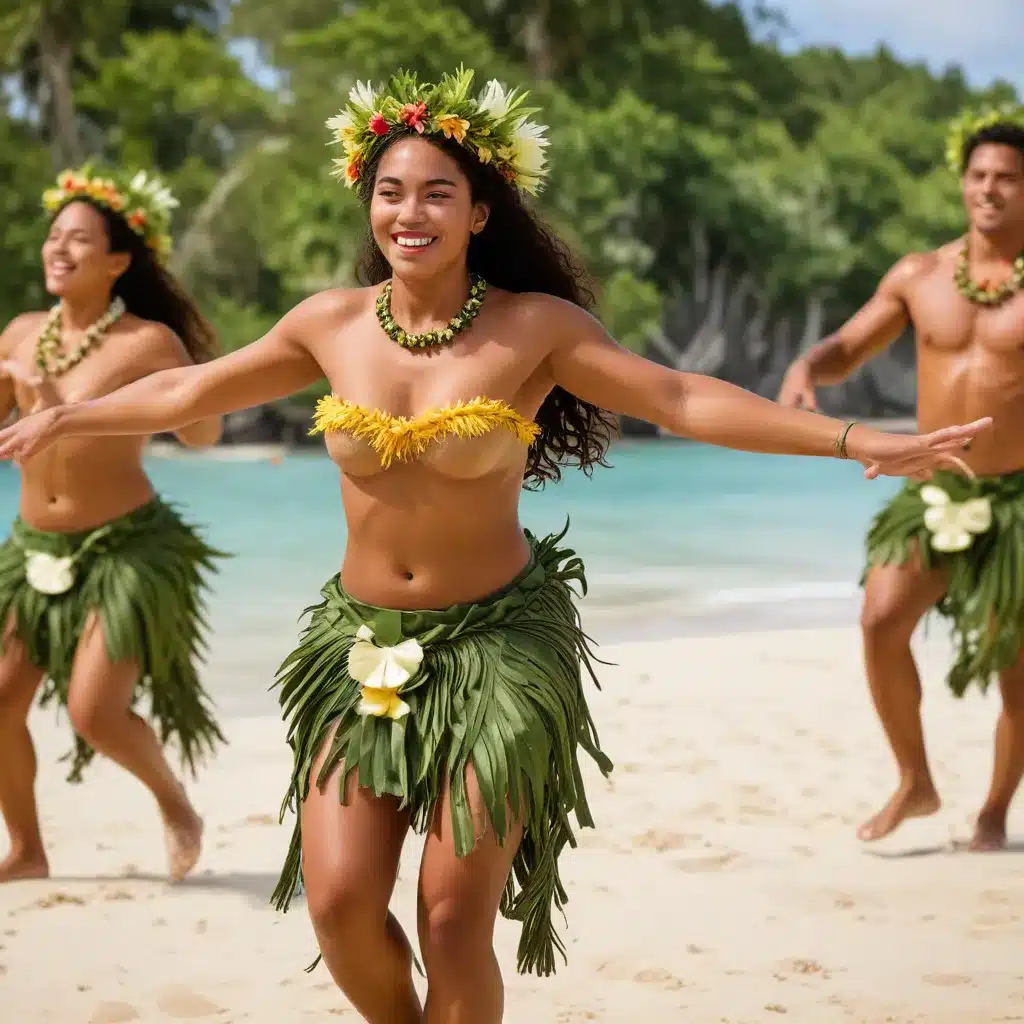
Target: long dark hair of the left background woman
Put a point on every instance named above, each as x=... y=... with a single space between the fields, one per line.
x=151 y=292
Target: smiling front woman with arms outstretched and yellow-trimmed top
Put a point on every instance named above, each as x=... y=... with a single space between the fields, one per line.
x=468 y=364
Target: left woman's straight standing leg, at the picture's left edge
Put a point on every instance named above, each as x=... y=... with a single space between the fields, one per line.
x=19 y=682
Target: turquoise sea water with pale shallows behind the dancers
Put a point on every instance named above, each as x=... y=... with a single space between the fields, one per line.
x=677 y=538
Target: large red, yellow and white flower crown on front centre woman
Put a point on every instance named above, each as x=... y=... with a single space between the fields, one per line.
x=494 y=126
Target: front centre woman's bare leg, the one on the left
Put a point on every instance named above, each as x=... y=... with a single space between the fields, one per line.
x=350 y=866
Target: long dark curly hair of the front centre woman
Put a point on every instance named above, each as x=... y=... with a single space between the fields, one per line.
x=519 y=253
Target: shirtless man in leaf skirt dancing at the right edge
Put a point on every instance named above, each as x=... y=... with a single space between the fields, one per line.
x=956 y=544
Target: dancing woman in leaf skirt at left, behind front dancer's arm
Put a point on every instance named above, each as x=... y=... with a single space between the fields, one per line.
x=101 y=580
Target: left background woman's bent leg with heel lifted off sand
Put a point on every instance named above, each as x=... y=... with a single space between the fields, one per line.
x=100 y=702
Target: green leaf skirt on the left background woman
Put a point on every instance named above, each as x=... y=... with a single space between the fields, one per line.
x=144 y=574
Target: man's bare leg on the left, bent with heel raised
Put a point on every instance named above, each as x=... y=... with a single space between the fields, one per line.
x=895 y=601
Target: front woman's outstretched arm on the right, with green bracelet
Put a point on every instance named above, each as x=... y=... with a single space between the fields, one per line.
x=586 y=362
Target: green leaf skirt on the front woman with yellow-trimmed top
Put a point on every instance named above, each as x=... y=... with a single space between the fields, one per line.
x=499 y=688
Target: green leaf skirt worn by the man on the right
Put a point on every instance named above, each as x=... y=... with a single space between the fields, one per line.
x=985 y=598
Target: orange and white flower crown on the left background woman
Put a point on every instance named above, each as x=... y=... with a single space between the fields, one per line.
x=146 y=203
